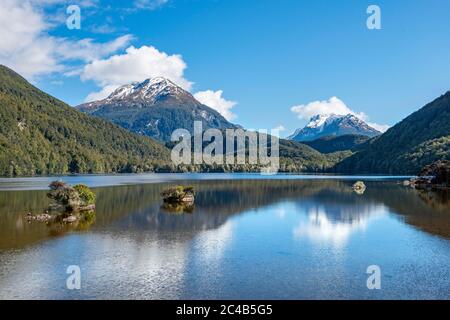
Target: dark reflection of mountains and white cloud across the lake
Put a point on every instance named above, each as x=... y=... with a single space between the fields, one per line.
x=330 y=207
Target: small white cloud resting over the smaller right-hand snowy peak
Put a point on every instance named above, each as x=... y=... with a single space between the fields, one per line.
x=333 y=105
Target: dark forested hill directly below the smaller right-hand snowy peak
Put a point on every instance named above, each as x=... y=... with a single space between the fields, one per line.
x=331 y=144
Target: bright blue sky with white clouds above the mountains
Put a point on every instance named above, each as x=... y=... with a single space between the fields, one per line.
x=255 y=59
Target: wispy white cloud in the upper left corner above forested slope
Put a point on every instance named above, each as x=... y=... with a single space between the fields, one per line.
x=27 y=47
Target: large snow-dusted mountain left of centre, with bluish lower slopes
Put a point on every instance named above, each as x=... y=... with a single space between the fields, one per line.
x=155 y=107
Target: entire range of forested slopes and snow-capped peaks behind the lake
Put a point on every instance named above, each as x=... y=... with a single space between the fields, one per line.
x=40 y=135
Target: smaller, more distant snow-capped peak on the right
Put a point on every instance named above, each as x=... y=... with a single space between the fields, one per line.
x=333 y=125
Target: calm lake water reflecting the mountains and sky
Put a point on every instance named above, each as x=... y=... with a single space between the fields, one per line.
x=248 y=237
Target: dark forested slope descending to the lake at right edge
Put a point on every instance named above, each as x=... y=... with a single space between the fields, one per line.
x=420 y=139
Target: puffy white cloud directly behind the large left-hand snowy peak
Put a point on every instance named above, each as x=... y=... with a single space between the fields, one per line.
x=136 y=64
